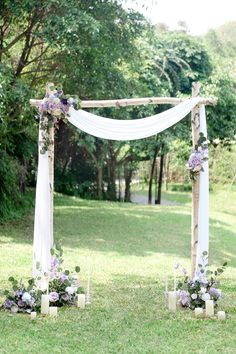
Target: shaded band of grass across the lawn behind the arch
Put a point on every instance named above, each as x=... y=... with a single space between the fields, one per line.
x=125 y=229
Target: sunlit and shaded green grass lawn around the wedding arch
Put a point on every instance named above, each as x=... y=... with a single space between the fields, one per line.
x=130 y=249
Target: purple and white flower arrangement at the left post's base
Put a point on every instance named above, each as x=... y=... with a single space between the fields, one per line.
x=61 y=285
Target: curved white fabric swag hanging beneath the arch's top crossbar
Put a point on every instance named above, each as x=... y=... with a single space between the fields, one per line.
x=114 y=129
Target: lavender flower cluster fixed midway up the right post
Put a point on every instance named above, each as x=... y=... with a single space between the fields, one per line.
x=197 y=157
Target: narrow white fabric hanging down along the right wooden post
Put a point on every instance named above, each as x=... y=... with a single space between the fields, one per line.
x=203 y=212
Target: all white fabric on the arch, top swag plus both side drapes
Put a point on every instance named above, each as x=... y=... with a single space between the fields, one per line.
x=113 y=129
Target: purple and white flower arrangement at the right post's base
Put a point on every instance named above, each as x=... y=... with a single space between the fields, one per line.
x=195 y=292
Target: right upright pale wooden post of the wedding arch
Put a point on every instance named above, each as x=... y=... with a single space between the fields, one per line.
x=195 y=184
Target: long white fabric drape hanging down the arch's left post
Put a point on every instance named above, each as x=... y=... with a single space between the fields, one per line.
x=43 y=239
